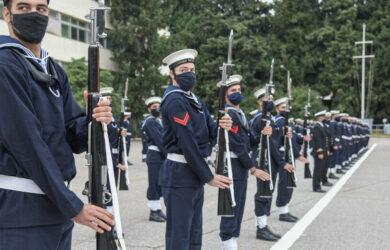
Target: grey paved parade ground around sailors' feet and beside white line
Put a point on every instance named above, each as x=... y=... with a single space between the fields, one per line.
x=357 y=218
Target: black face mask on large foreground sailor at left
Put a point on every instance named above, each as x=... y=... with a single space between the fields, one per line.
x=30 y=27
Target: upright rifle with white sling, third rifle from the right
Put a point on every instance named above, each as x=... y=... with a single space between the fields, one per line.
x=266 y=187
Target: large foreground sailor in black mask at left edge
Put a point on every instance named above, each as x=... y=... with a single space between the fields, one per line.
x=45 y=127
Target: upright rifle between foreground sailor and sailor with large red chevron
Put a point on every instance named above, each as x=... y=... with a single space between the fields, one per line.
x=123 y=182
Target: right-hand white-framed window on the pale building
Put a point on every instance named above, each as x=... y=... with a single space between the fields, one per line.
x=74 y=29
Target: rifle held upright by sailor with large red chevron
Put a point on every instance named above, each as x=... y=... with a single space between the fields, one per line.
x=226 y=200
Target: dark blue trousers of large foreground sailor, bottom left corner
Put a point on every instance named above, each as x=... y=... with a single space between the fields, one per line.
x=52 y=237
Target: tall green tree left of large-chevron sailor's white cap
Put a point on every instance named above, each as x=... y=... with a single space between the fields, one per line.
x=138 y=50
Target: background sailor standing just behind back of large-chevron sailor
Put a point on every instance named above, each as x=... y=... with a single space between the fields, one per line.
x=155 y=157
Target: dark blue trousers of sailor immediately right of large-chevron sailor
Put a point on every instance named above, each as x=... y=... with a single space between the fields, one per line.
x=231 y=226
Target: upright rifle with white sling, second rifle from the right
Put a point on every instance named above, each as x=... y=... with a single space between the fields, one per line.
x=288 y=149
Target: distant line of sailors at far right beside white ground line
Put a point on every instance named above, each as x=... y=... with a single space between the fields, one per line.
x=338 y=140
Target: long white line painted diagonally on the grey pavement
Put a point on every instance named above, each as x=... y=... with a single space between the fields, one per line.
x=298 y=229
